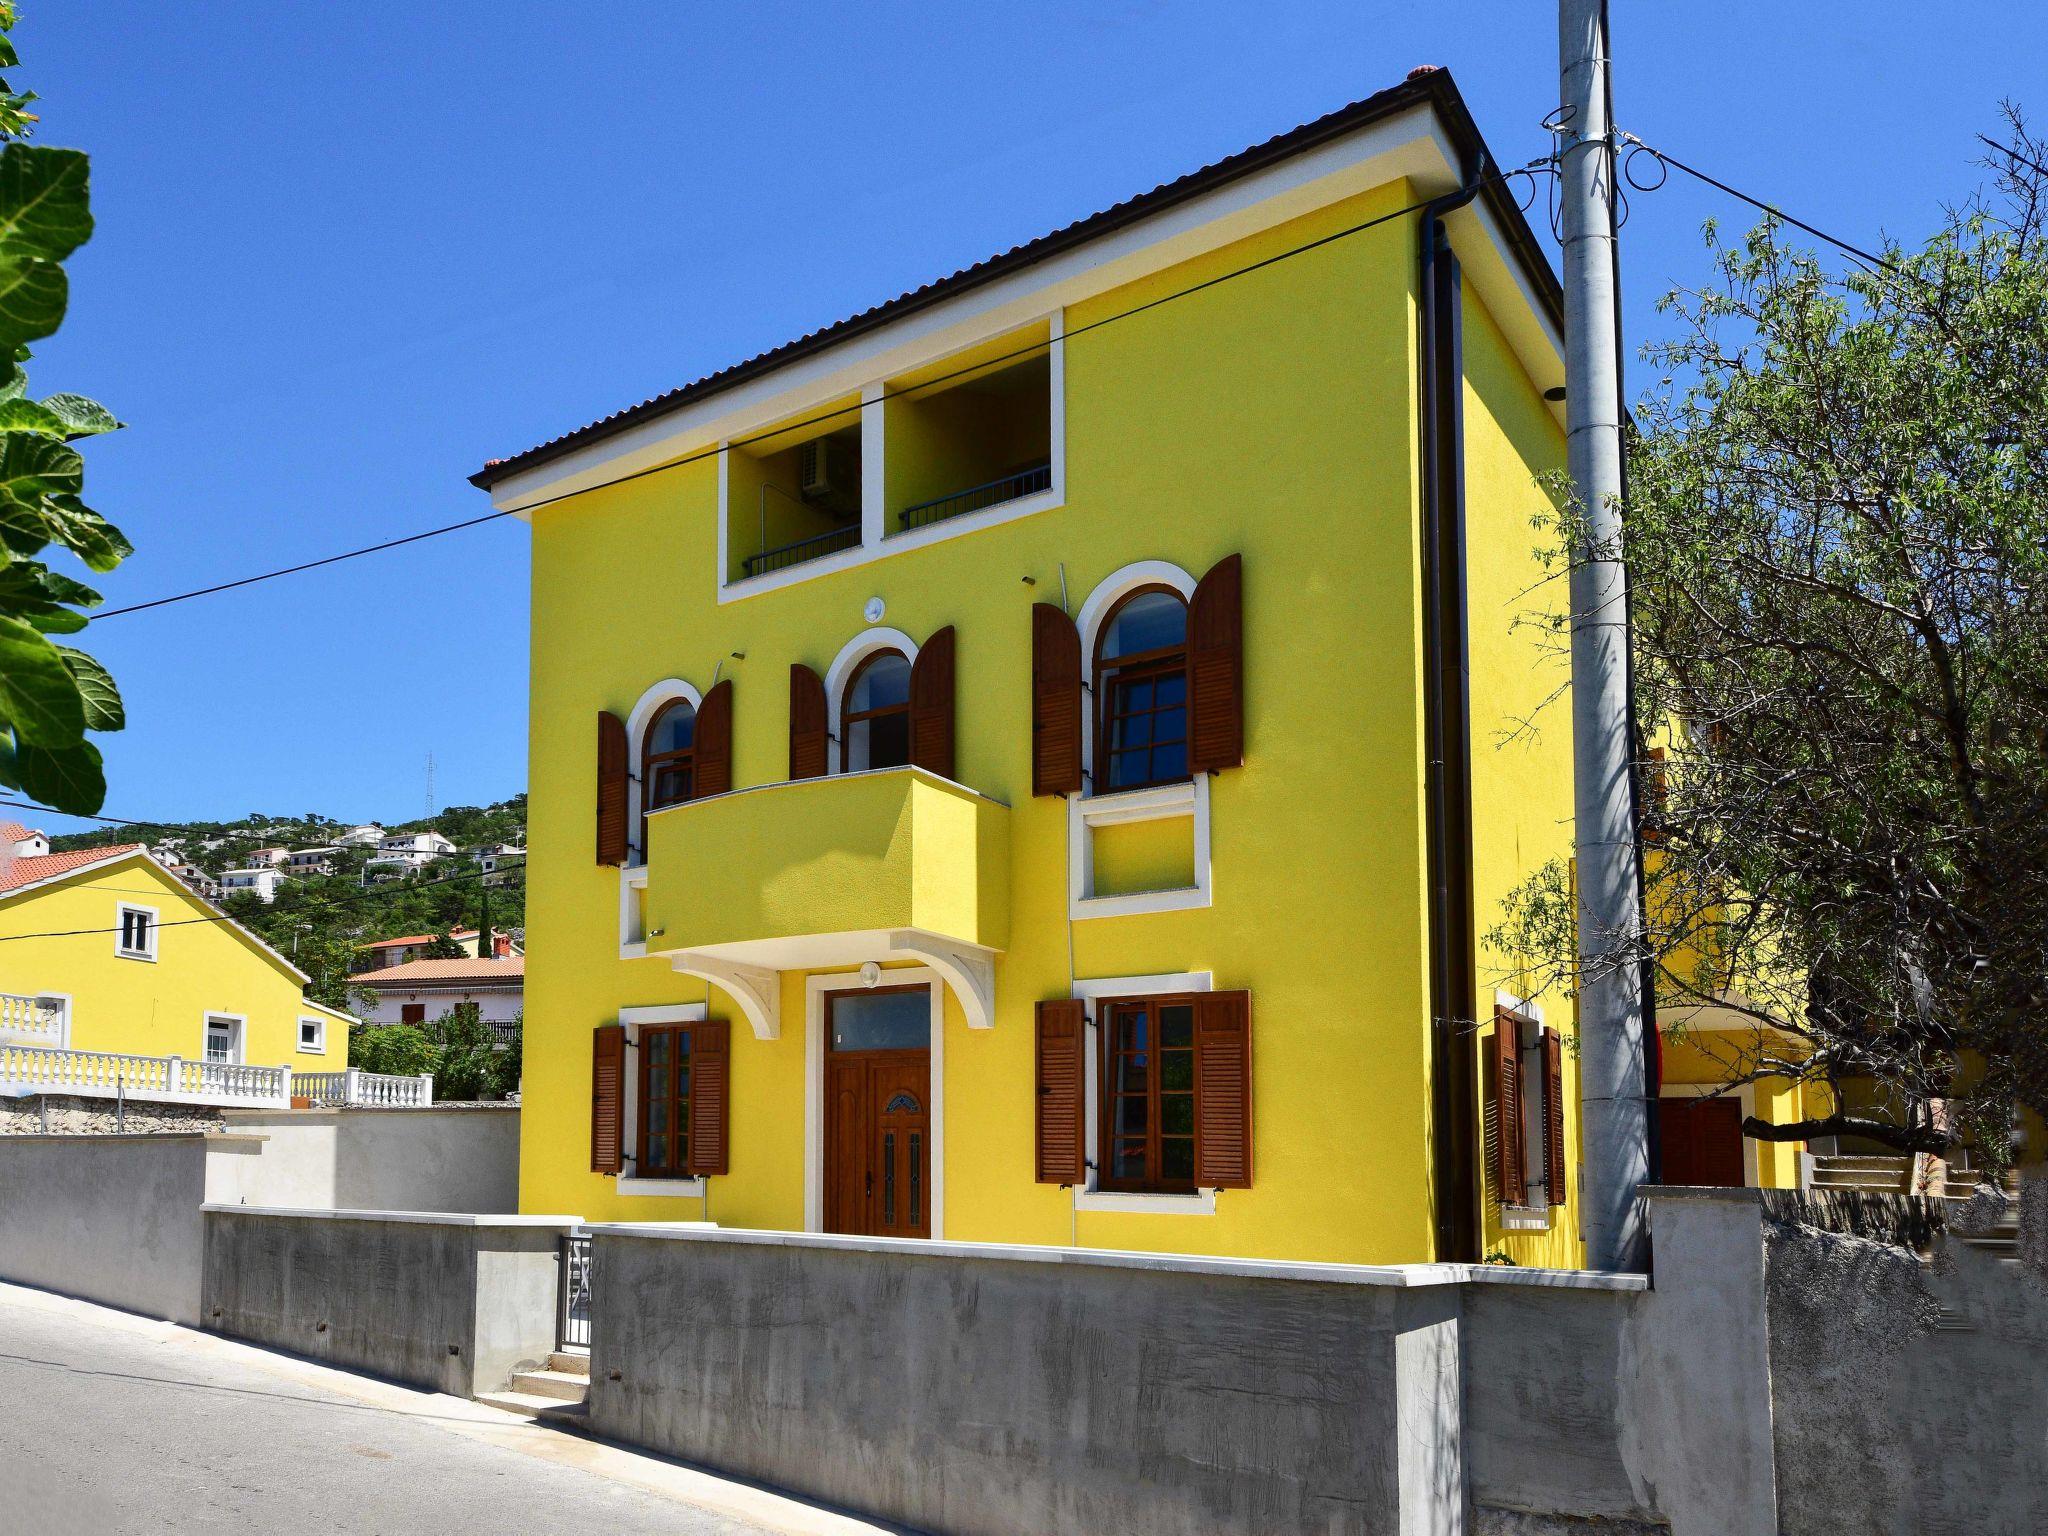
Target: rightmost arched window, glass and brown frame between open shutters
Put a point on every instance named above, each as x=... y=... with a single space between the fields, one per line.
x=1142 y=691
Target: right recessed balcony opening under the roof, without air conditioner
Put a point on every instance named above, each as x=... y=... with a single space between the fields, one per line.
x=972 y=441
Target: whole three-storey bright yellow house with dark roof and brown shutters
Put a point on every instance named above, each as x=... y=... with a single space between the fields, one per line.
x=1058 y=742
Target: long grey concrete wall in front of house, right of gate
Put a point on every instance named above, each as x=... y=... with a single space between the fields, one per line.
x=1007 y=1390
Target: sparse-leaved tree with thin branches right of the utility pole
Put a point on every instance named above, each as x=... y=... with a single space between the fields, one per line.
x=1838 y=542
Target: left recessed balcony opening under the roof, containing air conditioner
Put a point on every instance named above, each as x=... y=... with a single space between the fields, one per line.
x=794 y=501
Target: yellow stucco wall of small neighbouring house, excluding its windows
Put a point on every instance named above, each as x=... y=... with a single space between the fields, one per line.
x=62 y=941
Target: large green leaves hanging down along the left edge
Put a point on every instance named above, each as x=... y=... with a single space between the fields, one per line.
x=50 y=693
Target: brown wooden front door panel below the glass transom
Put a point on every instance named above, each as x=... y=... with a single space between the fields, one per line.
x=880 y=1144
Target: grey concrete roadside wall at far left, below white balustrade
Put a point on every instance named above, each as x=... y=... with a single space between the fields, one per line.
x=116 y=1220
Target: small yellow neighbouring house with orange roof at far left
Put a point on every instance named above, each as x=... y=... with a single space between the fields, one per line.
x=108 y=951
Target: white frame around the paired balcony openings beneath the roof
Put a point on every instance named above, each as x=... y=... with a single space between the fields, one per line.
x=876 y=538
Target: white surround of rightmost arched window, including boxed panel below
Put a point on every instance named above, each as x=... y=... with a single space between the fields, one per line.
x=1158 y=804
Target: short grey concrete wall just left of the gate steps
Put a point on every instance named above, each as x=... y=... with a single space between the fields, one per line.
x=441 y=1302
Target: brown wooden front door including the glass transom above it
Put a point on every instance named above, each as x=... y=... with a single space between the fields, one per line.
x=878 y=1115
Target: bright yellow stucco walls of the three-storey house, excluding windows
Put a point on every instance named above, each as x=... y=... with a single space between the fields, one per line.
x=1201 y=407
